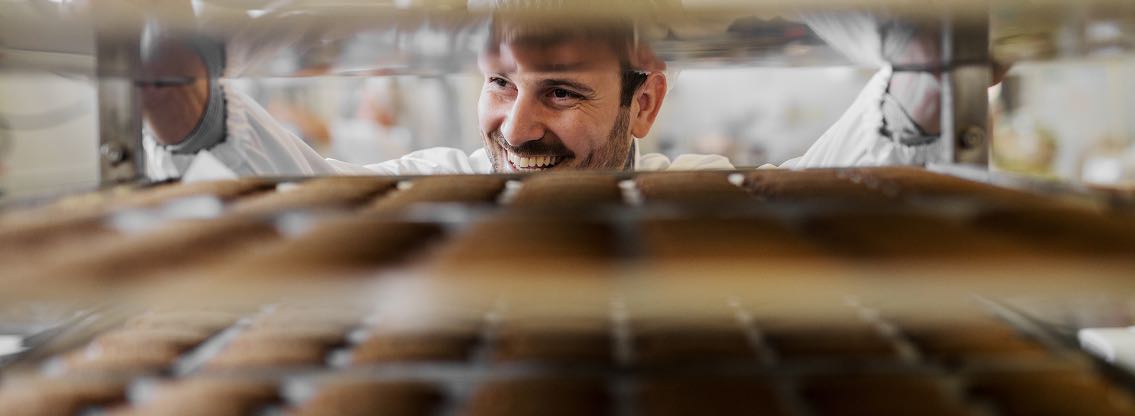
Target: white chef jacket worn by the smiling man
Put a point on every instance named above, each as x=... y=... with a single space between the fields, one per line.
x=256 y=145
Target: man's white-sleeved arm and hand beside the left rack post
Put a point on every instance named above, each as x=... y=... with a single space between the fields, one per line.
x=208 y=116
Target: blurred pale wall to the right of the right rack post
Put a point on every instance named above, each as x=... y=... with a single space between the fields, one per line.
x=1069 y=120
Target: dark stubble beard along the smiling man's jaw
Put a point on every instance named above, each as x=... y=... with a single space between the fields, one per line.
x=615 y=154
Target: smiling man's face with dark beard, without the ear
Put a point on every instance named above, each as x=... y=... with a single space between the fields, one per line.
x=554 y=107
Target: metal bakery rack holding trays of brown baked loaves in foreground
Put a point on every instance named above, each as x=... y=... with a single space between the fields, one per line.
x=793 y=292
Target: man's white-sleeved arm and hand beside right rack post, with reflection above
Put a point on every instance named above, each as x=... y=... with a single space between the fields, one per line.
x=895 y=121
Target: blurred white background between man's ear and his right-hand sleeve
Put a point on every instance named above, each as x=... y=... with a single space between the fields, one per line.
x=754 y=116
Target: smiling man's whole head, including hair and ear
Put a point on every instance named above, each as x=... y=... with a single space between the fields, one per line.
x=566 y=100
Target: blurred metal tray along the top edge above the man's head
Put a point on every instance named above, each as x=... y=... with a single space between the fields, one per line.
x=384 y=38
